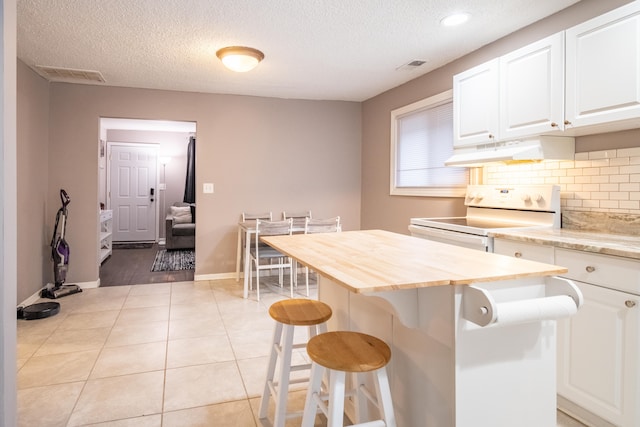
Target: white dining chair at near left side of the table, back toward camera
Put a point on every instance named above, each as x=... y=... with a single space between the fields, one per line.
x=259 y=253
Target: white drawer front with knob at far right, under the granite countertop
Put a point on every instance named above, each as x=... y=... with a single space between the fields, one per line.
x=601 y=270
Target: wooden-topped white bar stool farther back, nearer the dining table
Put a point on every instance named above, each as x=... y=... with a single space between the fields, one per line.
x=288 y=314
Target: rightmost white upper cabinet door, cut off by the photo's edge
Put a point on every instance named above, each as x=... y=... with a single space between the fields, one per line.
x=603 y=68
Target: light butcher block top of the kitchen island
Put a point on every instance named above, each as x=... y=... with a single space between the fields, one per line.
x=376 y=260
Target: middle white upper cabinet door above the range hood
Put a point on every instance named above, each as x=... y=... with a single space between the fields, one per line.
x=532 y=89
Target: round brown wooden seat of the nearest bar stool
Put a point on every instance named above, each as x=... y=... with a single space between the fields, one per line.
x=349 y=351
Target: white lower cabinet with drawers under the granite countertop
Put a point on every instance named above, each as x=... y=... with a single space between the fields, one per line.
x=598 y=366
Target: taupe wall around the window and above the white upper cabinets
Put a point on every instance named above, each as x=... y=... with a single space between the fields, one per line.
x=379 y=209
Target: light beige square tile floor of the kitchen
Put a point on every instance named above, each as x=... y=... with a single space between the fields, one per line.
x=158 y=355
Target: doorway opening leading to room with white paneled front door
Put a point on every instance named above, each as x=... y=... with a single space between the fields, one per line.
x=142 y=173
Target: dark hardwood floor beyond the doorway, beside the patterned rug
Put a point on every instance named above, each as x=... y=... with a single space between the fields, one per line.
x=133 y=267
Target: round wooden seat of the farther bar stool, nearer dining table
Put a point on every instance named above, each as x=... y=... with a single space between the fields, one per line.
x=300 y=312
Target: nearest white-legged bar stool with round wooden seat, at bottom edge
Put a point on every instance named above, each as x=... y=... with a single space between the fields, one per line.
x=341 y=352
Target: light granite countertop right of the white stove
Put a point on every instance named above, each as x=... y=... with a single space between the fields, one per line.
x=588 y=241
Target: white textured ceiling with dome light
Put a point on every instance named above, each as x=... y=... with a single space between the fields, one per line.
x=314 y=49
